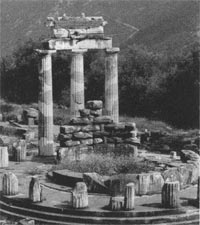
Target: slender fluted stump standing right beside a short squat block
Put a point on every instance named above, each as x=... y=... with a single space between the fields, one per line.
x=129 y=198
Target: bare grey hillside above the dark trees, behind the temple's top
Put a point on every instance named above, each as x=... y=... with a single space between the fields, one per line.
x=166 y=24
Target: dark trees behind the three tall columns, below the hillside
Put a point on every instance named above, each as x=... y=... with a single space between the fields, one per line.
x=157 y=86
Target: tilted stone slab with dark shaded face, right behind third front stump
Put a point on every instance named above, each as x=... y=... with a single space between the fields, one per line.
x=95 y=183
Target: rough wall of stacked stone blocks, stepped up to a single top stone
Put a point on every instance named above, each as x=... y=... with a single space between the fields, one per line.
x=92 y=131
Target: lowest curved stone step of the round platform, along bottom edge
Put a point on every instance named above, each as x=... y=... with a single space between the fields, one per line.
x=100 y=220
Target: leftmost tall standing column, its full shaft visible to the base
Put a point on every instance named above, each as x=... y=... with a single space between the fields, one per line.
x=45 y=125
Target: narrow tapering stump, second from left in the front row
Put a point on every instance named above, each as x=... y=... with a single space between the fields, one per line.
x=35 y=190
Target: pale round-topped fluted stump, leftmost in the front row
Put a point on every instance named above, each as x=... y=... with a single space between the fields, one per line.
x=10 y=184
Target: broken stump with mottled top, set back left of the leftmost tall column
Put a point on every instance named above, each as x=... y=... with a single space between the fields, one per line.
x=19 y=151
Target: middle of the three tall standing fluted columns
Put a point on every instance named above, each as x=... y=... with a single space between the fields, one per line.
x=77 y=96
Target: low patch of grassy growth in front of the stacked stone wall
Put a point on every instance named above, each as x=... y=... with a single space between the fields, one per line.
x=106 y=164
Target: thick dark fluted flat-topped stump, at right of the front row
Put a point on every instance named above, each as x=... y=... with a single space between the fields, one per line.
x=170 y=195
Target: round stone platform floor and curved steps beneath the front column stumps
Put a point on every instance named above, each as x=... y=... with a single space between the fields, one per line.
x=56 y=208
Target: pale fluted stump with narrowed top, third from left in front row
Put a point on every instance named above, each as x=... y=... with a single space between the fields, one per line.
x=80 y=196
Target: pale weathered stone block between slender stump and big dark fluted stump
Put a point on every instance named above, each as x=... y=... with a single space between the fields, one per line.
x=150 y=183
